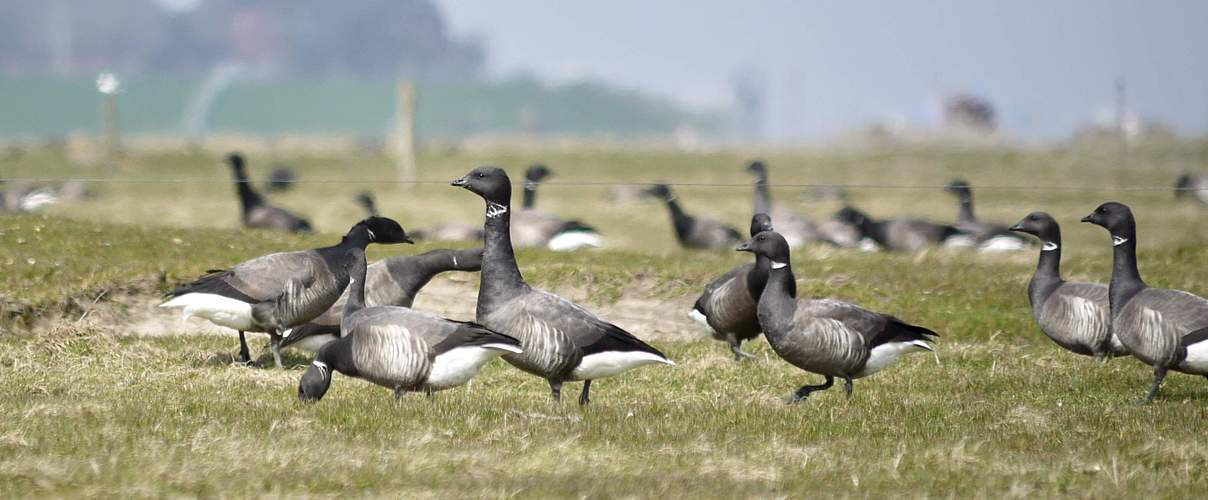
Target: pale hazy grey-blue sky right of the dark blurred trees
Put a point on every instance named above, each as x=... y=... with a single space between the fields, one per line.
x=833 y=66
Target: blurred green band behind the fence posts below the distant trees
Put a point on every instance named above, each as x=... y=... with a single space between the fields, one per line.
x=34 y=108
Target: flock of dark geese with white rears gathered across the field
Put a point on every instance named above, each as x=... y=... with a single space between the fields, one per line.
x=358 y=318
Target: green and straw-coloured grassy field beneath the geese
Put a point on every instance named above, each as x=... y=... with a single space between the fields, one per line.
x=95 y=410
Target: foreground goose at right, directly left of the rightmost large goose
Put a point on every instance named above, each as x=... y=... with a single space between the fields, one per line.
x=1072 y=315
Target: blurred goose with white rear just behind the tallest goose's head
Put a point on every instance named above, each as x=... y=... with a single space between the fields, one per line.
x=538 y=229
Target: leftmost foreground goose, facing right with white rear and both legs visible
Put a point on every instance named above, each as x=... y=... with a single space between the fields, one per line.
x=277 y=292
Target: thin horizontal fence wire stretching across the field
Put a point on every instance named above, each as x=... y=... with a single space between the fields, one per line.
x=618 y=184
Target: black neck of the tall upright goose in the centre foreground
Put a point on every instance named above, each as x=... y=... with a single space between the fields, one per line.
x=501 y=276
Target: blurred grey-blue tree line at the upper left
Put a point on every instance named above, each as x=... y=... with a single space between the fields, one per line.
x=370 y=38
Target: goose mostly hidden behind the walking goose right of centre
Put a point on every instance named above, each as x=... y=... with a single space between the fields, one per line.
x=728 y=307
